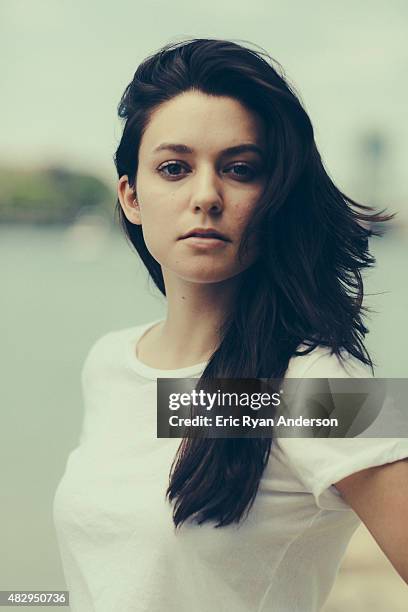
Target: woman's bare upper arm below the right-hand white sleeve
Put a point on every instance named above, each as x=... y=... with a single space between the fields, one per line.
x=379 y=496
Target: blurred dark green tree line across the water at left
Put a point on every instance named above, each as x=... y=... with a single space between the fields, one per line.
x=52 y=195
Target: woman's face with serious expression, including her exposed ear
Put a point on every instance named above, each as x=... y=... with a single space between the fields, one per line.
x=200 y=167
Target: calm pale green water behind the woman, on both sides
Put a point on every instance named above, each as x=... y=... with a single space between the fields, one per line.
x=60 y=291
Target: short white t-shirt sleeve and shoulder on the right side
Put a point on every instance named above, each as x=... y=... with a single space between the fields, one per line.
x=321 y=462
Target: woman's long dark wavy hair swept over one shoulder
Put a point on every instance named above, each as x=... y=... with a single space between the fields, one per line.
x=305 y=288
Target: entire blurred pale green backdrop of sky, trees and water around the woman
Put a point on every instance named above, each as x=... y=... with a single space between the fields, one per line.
x=67 y=273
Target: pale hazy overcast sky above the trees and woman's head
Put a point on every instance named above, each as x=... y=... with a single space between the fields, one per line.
x=65 y=63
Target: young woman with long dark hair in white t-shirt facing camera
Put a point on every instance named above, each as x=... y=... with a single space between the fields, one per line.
x=224 y=196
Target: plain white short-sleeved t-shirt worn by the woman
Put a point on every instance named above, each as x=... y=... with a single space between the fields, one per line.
x=119 y=548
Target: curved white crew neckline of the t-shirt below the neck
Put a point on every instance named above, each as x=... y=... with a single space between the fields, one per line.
x=153 y=373
